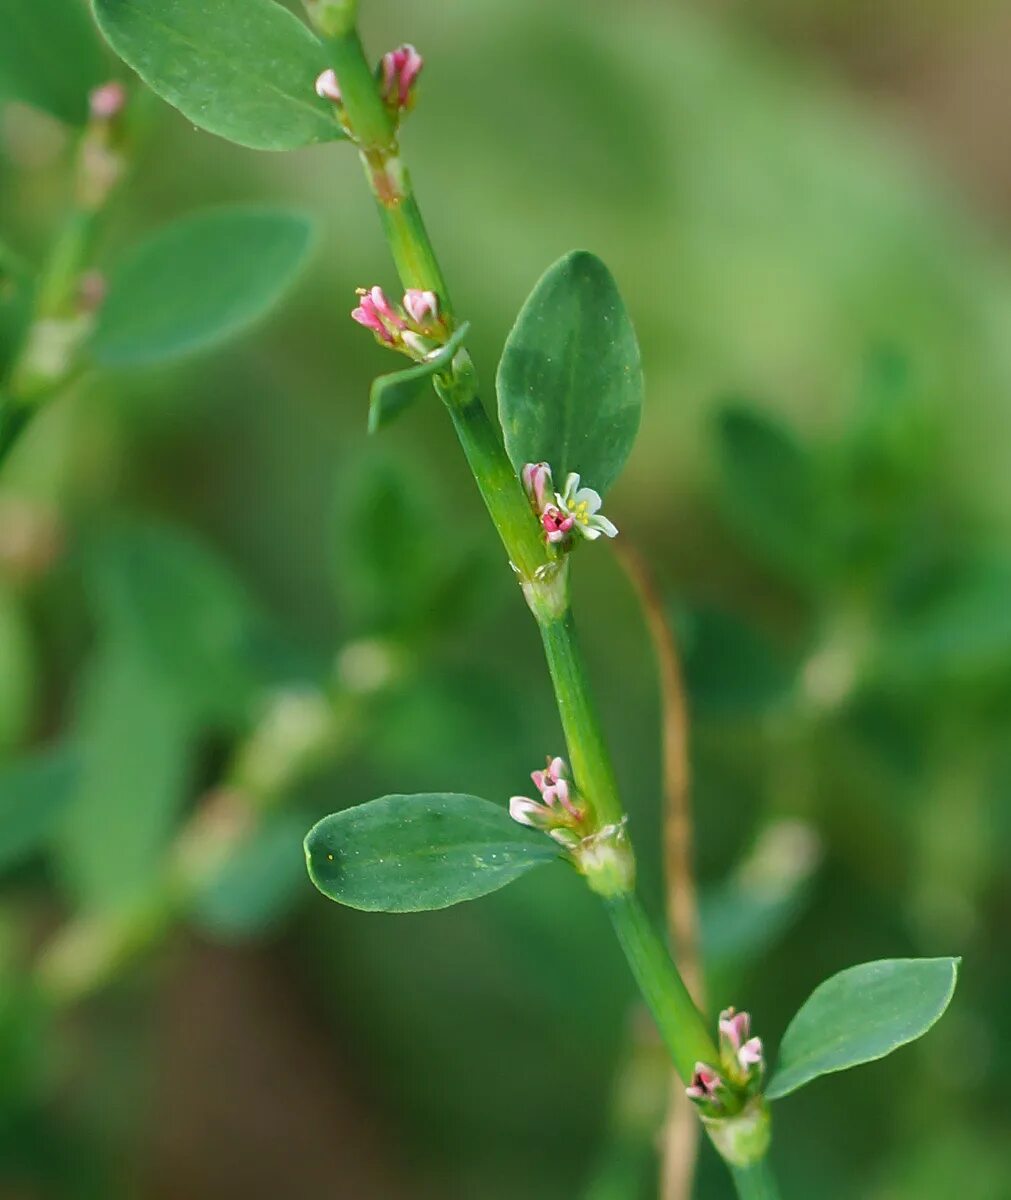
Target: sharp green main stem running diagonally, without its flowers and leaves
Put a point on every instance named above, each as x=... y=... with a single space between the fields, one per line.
x=542 y=573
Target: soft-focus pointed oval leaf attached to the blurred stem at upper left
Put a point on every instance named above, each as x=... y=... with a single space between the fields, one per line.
x=198 y=284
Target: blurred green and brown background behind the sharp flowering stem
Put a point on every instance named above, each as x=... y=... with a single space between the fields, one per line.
x=806 y=208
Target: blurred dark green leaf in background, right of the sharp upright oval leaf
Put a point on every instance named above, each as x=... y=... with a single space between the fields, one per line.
x=770 y=491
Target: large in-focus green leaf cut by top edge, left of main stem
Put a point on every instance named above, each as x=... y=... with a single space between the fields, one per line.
x=242 y=69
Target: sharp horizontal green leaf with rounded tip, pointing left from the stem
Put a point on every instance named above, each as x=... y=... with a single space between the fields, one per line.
x=411 y=854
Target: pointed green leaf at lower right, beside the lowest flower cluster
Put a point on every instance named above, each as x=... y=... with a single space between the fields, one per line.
x=863 y=1015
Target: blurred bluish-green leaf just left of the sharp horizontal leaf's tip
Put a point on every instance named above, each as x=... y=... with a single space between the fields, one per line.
x=259 y=886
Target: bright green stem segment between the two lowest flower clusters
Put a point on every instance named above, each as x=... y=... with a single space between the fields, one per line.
x=663 y=989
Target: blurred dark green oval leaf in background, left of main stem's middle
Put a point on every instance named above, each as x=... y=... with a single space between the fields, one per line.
x=390 y=544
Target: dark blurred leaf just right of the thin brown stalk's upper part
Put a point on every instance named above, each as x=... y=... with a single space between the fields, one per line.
x=732 y=669
